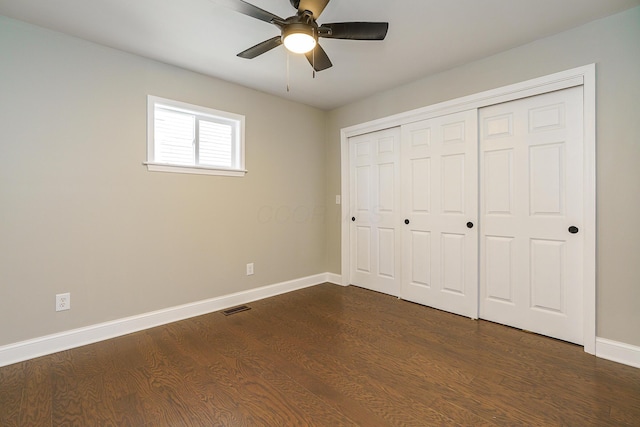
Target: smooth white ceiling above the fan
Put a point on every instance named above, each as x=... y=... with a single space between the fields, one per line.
x=425 y=37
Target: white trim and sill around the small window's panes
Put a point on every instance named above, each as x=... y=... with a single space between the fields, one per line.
x=189 y=169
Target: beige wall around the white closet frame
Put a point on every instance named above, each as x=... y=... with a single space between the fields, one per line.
x=612 y=44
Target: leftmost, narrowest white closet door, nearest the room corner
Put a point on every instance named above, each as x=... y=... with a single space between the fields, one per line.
x=375 y=208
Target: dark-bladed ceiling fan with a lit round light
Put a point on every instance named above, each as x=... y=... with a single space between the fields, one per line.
x=300 y=32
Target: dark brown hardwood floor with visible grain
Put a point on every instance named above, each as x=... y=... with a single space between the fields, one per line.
x=323 y=356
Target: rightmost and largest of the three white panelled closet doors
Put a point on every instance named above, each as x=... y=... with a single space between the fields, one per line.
x=531 y=214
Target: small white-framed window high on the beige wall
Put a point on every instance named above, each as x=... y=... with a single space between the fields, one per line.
x=186 y=138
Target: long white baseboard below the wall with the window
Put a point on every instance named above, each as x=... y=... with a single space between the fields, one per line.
x=41 y=346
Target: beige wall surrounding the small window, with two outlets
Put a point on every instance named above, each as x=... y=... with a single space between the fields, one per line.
x=80 y=213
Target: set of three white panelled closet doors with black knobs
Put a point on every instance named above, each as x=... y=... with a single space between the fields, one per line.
x=477 y=212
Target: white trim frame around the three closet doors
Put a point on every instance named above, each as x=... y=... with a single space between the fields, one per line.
x=584 y=76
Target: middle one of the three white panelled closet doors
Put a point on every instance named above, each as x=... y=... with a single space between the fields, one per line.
x=440 y=205
